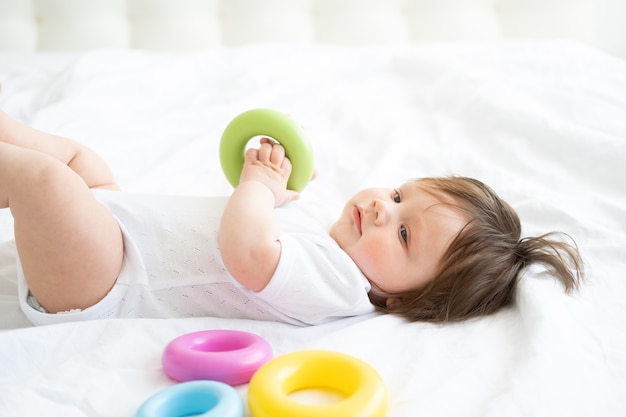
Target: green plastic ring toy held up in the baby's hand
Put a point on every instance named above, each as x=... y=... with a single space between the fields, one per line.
x=273 y=124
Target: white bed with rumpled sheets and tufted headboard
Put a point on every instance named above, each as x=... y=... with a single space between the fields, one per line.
x=542 y=119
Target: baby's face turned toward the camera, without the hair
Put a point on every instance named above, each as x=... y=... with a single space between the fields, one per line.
x=397 y=237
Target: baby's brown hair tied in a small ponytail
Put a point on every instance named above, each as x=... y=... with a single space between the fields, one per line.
x=479 y=271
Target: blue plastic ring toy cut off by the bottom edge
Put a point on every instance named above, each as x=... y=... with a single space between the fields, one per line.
x=197 y=398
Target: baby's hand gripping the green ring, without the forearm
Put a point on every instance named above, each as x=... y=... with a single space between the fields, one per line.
x=270 y=166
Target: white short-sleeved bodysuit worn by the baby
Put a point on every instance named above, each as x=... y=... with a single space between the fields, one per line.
x=173 y=268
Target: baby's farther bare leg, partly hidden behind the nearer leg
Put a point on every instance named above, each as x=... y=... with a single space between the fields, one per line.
x=81 y=159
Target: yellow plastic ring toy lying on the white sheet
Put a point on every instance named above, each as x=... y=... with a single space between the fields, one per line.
x=364 y=391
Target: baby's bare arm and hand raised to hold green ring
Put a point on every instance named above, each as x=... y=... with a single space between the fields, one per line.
x=249 y=230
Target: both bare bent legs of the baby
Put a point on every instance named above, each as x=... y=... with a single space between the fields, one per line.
x=70 y=246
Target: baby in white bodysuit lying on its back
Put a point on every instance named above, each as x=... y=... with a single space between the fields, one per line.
x=434 y=249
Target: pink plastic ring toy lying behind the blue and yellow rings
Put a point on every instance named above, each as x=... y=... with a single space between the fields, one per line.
x=228 y=356
